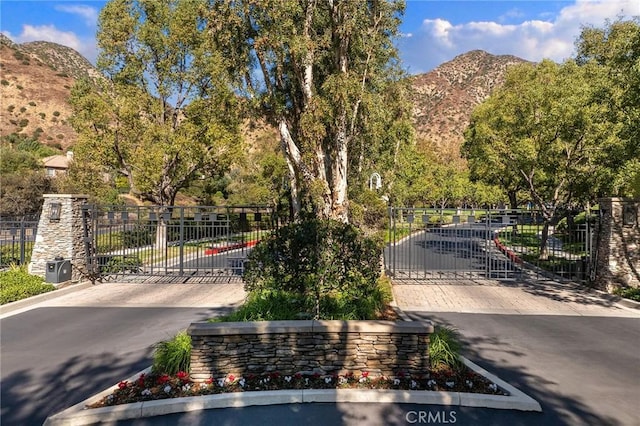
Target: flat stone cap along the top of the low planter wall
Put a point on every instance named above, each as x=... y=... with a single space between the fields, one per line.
x=276 y=327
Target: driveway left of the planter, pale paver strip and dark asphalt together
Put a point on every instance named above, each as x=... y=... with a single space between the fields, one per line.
x=60 y=352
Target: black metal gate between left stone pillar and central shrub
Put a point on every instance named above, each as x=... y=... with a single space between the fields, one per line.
x=202 y=241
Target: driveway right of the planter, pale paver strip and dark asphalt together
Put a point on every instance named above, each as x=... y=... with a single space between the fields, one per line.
x=574 y=352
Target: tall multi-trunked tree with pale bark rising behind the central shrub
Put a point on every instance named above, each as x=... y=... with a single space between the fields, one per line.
x=313 y=69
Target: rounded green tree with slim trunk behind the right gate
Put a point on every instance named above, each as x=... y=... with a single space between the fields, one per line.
x=543 y=130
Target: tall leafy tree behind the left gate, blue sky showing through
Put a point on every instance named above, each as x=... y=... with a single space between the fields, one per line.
x=166 y=115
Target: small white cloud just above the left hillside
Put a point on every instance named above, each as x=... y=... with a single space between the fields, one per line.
x=85 y=46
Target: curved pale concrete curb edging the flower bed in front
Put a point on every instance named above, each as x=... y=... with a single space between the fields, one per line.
x=79 y=415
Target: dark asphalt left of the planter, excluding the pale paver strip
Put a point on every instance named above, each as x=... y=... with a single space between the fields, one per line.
x=55 y=357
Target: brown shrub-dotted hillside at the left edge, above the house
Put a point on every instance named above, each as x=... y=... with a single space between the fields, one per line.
x=35 y=84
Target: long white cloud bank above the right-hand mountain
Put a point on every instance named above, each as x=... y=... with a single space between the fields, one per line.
x=438 y=40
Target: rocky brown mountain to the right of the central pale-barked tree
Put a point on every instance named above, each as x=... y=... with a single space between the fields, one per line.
x=444 y=98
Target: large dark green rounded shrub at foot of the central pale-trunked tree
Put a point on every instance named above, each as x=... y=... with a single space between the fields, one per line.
x=314 y=258
